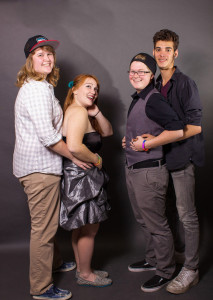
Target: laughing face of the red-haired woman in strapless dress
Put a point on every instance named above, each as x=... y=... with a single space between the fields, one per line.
x=87 y=93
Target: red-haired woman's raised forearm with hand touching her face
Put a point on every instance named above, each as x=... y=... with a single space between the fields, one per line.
x=105 y=125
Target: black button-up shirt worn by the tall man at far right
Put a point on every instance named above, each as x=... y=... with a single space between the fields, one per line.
x=184 y=98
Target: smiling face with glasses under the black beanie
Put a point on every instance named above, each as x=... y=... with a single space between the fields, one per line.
x=139 y=82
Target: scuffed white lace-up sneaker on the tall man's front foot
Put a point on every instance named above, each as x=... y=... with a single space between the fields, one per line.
x=184 y=281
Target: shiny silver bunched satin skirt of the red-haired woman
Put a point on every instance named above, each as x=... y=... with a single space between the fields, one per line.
x=83 y=196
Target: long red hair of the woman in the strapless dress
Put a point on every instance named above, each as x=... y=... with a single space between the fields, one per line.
x=77 y=82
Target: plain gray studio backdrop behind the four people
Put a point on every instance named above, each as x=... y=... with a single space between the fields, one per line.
x=101 y=37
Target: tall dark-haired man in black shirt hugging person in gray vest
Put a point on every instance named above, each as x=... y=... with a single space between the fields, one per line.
x=181 y=157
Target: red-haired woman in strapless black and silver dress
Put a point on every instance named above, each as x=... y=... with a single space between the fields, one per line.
x=84 y=201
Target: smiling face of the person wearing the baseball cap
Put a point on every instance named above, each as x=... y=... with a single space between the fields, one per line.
x=43 y=61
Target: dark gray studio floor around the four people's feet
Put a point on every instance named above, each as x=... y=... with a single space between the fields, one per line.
x=113 y=257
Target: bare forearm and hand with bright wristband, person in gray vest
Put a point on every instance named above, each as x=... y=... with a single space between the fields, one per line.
x=165 y=137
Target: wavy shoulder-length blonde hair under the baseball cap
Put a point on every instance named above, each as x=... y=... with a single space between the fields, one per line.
x=27 y=71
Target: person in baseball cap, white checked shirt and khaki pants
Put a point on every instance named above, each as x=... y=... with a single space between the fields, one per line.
x=37 y=161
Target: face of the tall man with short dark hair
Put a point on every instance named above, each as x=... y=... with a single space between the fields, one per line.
x=164 y=54
